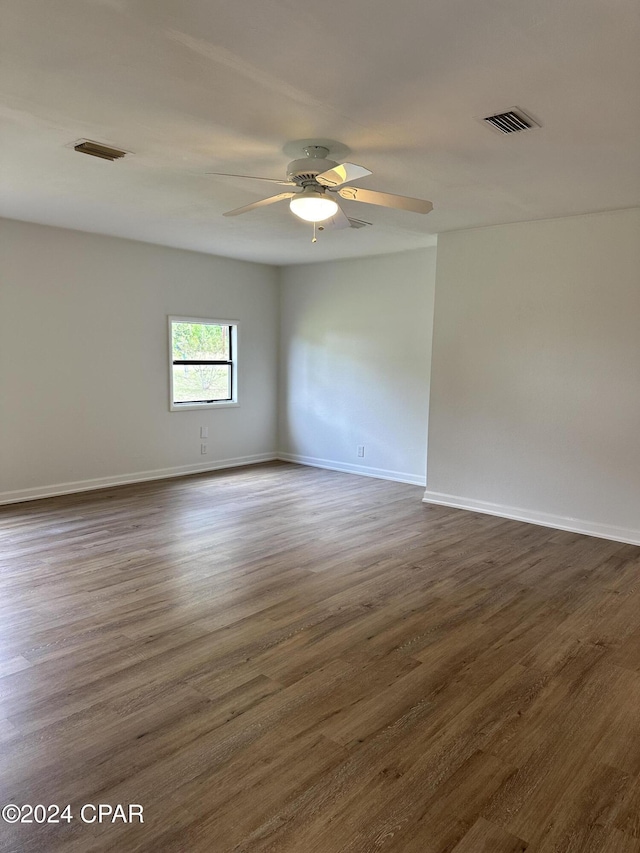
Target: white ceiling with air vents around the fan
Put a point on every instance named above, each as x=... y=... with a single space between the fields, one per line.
x=191 y=86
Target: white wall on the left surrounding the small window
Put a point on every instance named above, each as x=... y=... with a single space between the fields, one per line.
x=84 y=360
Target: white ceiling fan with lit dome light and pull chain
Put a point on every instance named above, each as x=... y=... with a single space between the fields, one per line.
x=315 y=181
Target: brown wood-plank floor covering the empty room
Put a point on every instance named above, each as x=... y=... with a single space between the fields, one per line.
x=280 y=658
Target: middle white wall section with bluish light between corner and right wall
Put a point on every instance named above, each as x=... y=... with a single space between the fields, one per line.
x=355 y=361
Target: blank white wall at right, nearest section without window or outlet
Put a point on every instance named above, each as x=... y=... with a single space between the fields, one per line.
x=535 y=387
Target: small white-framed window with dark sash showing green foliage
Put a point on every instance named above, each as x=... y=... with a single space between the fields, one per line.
x=203 y=362
